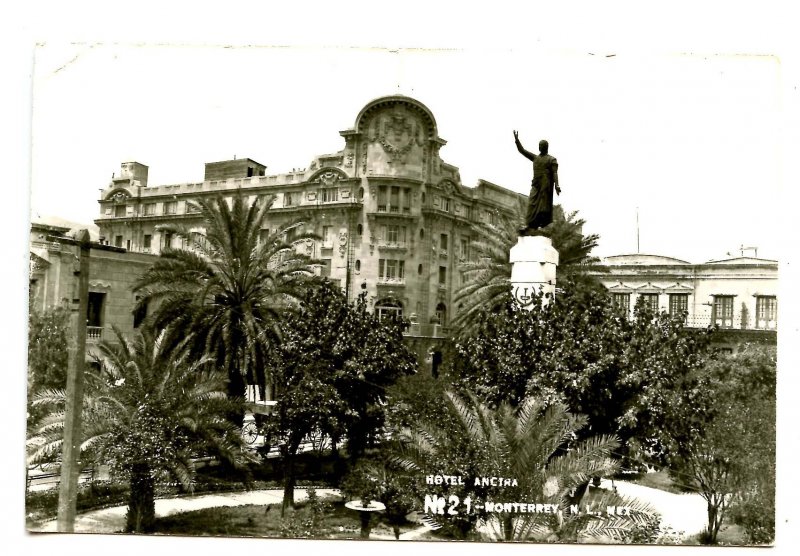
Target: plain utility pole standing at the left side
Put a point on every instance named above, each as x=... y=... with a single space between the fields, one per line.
x=71 y=447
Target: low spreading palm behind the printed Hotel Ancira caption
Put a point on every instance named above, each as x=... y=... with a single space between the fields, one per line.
x=536 y=446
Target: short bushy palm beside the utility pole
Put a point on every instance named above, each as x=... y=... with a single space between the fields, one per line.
x=149 y=409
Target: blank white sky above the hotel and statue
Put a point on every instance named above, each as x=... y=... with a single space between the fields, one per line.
x=691 y=143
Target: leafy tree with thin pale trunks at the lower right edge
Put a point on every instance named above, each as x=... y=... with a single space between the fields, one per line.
x=724 y=441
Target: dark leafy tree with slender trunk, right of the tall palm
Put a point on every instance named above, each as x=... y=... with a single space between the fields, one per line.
x=333 y=367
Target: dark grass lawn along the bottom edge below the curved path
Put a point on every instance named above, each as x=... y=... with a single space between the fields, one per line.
x=265 y=521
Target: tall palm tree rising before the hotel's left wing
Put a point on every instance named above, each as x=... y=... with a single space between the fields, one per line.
x=230 y=285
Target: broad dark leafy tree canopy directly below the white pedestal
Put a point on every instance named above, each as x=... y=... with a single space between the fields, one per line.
x=582 y=352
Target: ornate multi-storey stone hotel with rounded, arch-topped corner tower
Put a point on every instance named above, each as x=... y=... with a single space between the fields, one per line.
x=395 y=219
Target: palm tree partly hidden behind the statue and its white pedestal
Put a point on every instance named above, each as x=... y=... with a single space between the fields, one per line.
x=488 y=271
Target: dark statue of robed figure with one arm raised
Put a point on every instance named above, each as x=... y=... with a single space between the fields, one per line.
x=545 y=178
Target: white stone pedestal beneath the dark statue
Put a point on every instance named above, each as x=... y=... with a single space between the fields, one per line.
x=533 y=269
